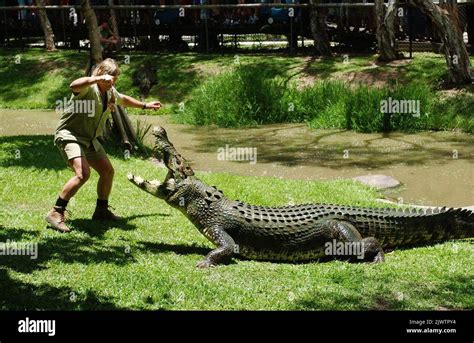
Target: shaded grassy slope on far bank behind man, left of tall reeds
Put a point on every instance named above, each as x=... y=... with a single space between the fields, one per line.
x=40 y=79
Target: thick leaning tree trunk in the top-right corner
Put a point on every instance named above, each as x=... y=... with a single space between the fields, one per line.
x=445 y=23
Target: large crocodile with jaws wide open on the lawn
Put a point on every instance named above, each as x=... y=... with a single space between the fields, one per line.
x=296 y=233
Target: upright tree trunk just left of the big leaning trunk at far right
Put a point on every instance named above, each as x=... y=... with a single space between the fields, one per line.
x=385 y=21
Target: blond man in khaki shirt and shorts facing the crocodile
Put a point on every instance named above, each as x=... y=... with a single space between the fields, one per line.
x=76 y=137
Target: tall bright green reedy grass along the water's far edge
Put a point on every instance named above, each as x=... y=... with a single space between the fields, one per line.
x=246 y=96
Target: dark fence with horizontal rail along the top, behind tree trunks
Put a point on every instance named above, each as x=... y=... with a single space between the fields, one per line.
x=221 y=27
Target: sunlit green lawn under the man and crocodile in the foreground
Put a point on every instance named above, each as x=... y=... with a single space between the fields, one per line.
x=148 y=262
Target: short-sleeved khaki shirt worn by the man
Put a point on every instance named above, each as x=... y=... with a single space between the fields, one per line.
x=82 y=120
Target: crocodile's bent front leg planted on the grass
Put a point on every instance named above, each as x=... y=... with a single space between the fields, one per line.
x=226 y=247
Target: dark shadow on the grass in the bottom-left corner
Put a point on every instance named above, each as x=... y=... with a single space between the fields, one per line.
x=17 y=295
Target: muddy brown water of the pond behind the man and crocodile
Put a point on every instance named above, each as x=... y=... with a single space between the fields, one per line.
x=435 y=168
